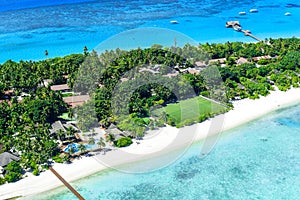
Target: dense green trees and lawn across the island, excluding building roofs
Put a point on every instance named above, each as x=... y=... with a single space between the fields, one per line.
x=26 y=115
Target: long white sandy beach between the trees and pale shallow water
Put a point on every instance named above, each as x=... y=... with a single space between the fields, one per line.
x=244 y=111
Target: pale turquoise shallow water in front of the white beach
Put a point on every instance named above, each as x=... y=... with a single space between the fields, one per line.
x=260 y=160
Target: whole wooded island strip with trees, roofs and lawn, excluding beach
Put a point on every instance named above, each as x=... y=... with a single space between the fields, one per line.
x=39 y=98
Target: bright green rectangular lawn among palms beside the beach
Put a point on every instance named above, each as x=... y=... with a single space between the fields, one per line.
x=191 y=109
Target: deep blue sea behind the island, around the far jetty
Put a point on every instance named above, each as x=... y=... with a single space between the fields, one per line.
x=29 y=27
